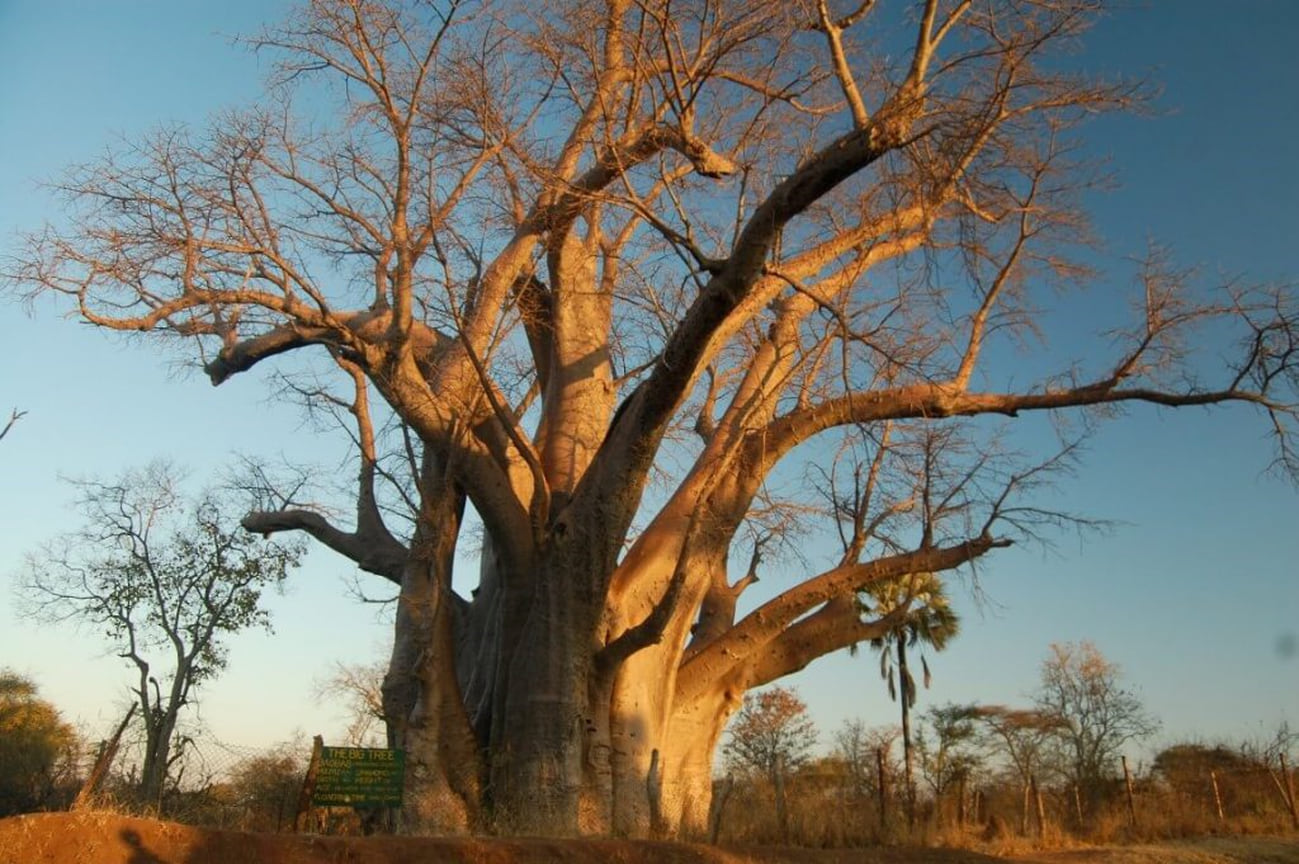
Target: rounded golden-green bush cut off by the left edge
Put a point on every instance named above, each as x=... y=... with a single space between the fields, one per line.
x=38 y=750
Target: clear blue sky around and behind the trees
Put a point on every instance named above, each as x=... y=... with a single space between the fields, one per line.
x=1194 y=594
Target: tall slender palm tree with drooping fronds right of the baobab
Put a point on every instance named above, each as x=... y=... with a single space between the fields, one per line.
x=929 y=622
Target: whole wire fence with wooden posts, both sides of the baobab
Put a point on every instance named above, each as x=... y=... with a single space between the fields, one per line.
x=259 y=789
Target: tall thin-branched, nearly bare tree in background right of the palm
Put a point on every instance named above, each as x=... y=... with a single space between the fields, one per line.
x=1081 y=688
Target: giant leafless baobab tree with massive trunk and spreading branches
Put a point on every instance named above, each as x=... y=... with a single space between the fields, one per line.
x=581 y=250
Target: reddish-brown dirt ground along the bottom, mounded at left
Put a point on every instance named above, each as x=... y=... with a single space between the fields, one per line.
x=108 y=839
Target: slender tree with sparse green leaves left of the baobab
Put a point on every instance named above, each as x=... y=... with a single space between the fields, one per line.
x=167 y=581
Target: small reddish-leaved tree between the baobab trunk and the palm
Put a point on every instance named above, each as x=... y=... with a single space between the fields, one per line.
x=772 y=730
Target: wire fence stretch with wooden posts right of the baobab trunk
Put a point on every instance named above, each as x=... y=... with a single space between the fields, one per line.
x=826 y=805
